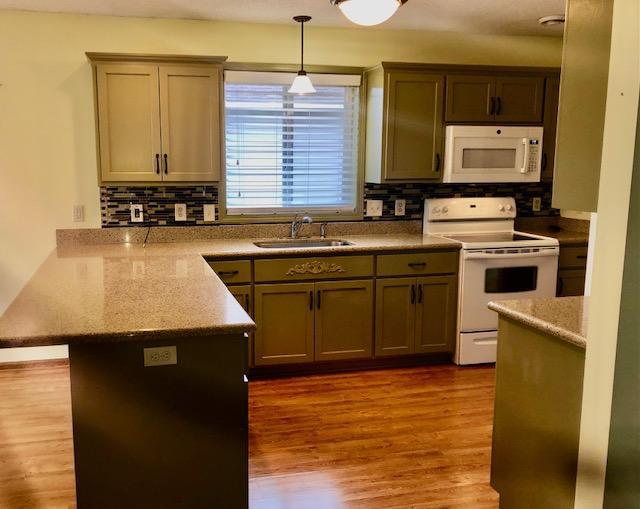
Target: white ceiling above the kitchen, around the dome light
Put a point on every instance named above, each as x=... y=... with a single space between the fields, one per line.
x=518 y=17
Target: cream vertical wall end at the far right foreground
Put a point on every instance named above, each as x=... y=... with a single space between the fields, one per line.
x=619 y=145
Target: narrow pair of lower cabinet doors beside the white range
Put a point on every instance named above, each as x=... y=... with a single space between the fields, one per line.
x=415 y=315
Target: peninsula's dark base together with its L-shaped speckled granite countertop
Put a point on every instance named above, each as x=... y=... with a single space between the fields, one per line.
x=158 y=362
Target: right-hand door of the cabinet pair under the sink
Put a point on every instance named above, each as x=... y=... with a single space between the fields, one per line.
x=344 y=320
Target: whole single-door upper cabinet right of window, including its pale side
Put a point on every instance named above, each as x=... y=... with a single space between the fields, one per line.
x=404 y=126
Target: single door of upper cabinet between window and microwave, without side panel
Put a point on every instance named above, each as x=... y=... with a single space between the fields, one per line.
x=413 y=148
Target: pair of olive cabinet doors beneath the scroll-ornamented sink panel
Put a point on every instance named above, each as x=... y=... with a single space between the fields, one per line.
x=306 y=322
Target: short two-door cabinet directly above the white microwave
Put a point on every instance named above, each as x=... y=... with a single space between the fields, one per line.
x=500 y=99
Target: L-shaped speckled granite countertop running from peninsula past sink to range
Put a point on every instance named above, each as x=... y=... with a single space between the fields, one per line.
x=120 y=292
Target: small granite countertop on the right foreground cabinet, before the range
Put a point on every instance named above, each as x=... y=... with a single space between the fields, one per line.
x=563 y=317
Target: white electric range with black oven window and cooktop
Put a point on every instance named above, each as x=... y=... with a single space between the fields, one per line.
x=496 y=263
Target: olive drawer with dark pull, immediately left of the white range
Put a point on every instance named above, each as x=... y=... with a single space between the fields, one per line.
x=417 y=264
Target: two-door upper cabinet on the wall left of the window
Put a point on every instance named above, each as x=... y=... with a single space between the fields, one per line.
x=158 y=121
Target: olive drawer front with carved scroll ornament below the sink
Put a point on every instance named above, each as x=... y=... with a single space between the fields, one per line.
x=316 y=268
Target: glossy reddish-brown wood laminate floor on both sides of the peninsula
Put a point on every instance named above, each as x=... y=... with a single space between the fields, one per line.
x=401 y=438
